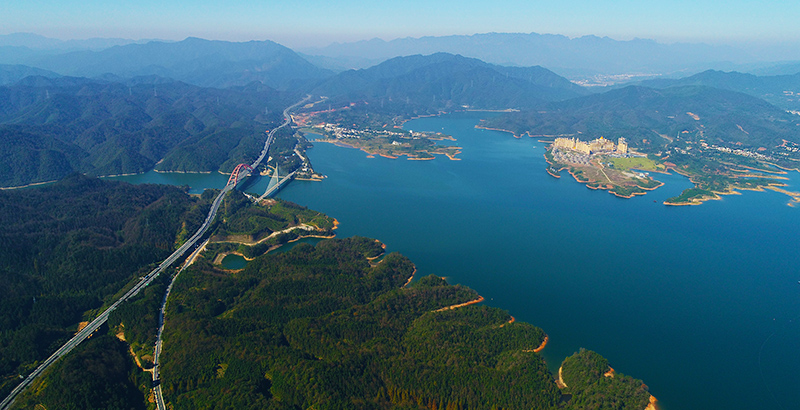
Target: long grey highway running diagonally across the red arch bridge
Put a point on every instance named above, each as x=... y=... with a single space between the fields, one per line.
x=144 y=281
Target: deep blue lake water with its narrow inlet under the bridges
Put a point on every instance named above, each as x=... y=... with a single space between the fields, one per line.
x=700 y=302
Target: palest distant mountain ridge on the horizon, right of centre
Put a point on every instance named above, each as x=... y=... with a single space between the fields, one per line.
x=567 y=56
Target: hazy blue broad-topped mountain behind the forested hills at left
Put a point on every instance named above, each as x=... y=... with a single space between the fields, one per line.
x=196 y=61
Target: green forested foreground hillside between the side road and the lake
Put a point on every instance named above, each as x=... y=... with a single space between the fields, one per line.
x=325 y=327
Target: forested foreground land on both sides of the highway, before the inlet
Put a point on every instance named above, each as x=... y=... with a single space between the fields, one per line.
x=336 y=325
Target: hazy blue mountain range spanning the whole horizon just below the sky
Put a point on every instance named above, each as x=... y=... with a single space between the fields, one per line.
x=575 y=58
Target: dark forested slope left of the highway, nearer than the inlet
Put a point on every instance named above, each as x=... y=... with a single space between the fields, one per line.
x=66 y=248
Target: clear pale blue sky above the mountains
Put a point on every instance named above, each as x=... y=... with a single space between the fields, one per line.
x=317 y=23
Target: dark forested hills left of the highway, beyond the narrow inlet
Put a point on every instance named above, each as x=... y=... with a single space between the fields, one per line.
x=51 y=127
